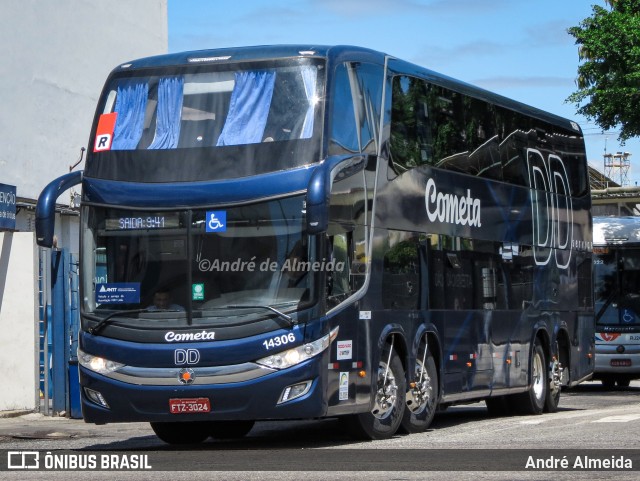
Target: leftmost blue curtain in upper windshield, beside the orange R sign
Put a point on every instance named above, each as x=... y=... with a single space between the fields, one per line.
x=131 y=104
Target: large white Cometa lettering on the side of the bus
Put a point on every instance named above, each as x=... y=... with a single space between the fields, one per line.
x=450 y=208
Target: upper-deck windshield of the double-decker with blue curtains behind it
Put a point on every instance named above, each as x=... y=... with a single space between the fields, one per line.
x=197 y=122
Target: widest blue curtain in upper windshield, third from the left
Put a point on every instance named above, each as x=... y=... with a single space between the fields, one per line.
x=248 y=108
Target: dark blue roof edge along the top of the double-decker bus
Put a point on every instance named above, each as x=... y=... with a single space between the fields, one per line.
x=341 y=53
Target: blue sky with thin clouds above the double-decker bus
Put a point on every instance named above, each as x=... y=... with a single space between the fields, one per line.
x=517 y=48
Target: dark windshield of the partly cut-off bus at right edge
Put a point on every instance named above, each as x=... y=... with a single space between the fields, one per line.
x=617 y=286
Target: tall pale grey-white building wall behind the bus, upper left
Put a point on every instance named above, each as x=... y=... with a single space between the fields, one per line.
x=55 y=56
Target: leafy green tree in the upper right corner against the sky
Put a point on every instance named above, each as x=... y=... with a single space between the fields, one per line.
x=609 y=74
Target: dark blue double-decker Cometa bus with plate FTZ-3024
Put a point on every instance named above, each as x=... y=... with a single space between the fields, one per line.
x=291 y=232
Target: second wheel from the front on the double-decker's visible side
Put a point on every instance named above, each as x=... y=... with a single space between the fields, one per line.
x=421 y=401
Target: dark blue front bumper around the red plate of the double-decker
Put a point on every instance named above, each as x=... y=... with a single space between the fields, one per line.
x=248 y=400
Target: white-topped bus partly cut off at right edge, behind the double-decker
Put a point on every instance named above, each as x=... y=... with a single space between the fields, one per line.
x=616 y=267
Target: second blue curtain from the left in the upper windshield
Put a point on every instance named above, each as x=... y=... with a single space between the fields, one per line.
x=168 y=115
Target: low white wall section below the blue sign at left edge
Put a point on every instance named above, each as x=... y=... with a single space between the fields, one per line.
x=18 y=322
